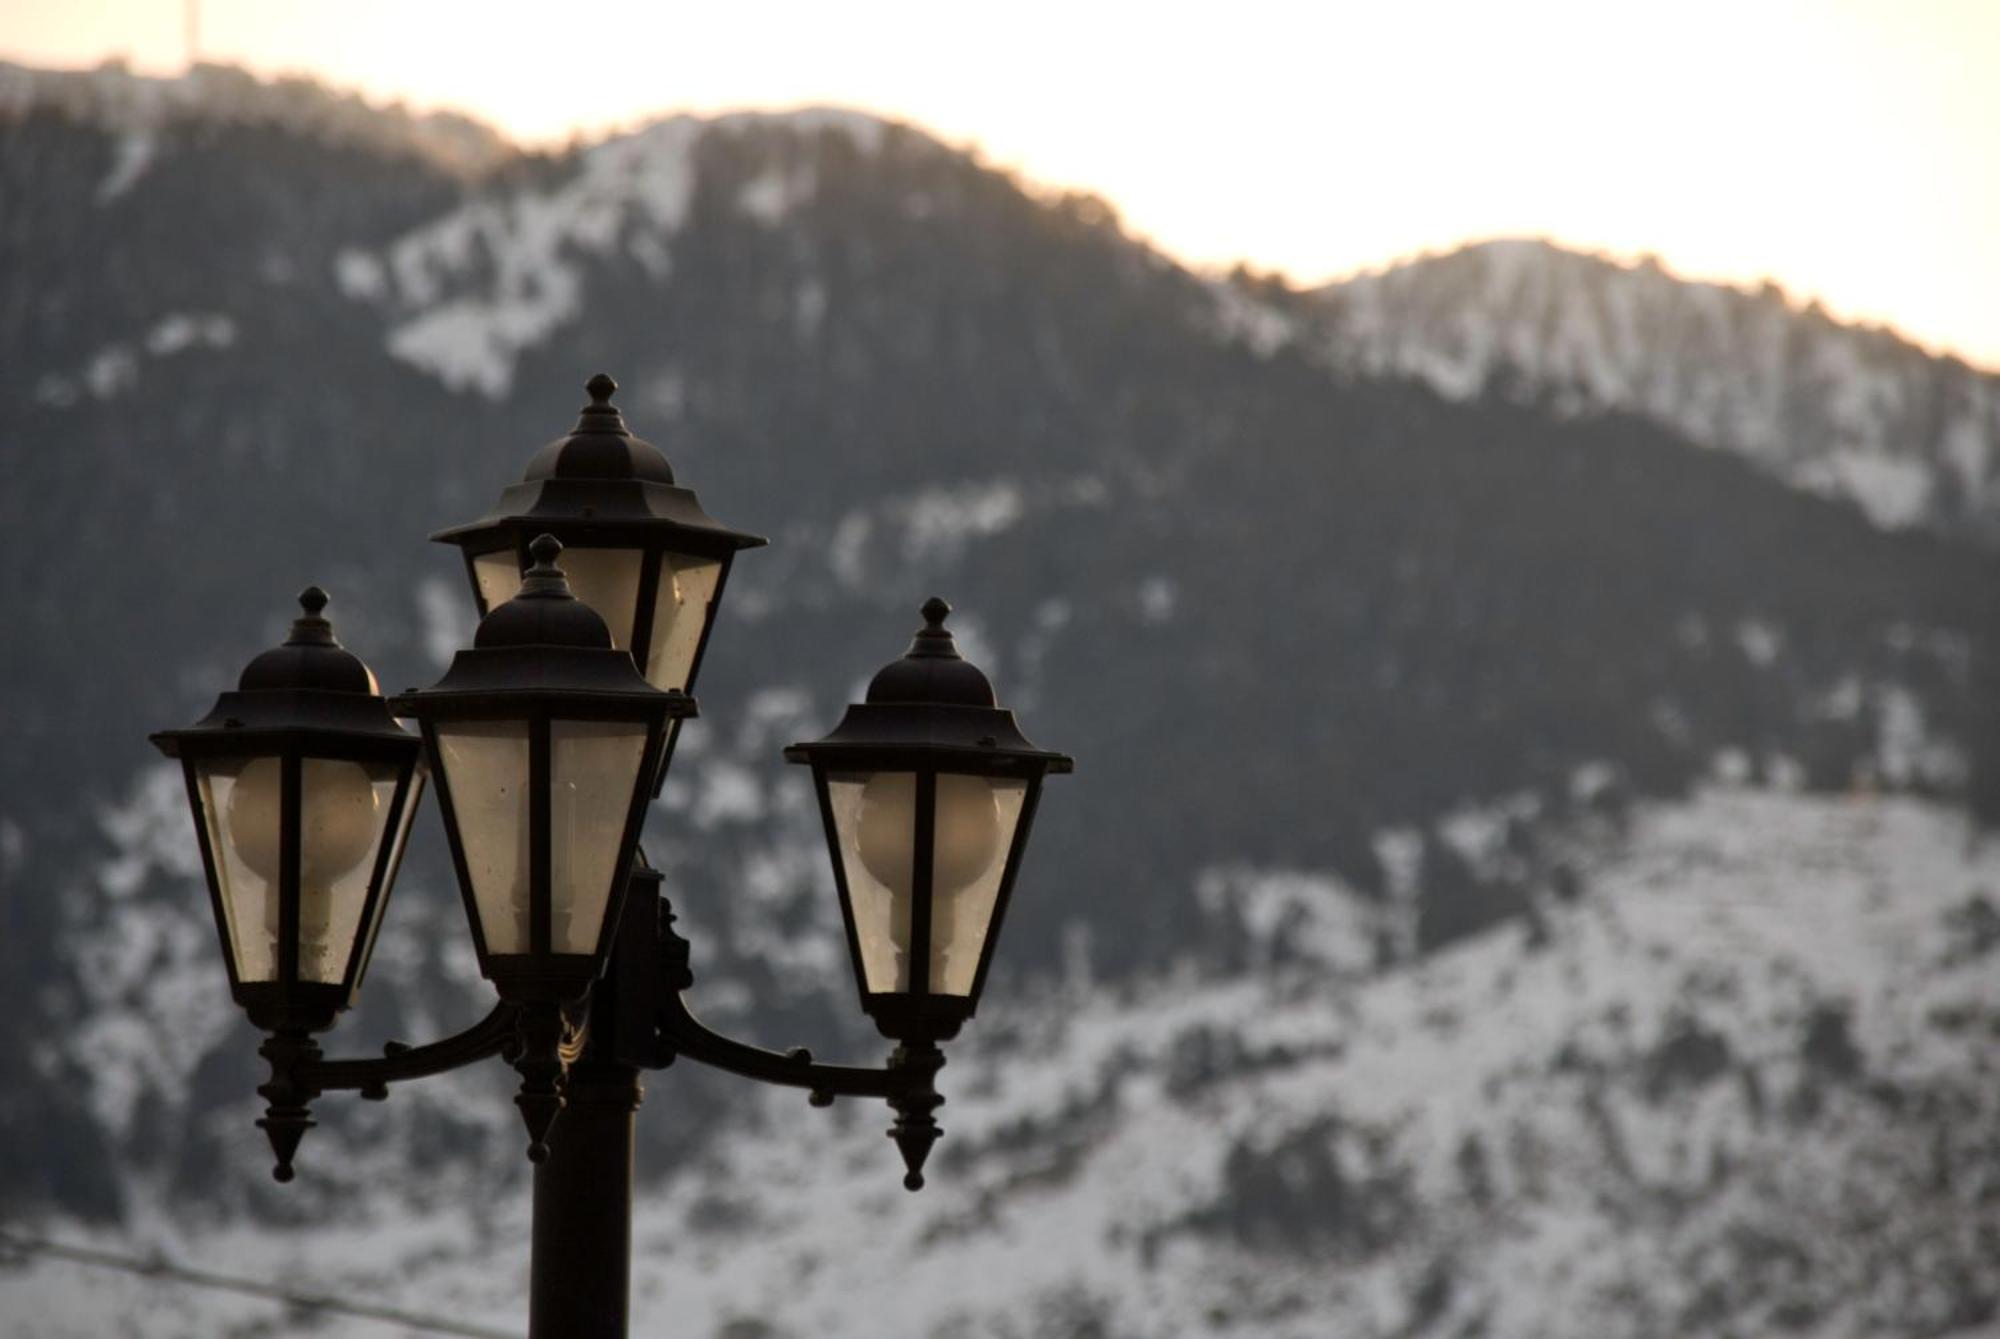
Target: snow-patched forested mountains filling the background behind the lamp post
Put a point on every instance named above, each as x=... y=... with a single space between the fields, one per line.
x=1523 y=874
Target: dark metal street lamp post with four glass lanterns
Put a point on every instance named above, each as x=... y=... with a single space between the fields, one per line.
x=597 y=583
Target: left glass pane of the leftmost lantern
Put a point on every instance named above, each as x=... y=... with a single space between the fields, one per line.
x=241 y=808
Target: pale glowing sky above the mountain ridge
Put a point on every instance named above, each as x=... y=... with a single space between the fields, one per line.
x=1851 y=151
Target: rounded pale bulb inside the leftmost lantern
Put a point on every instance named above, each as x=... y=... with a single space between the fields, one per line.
x=337 y=828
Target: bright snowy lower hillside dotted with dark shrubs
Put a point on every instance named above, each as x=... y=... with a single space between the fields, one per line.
x=1741 y=1086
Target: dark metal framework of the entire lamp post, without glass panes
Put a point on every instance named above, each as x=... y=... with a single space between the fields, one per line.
x=581 y=1032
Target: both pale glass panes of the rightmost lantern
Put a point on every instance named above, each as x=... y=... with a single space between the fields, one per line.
x=875 y=822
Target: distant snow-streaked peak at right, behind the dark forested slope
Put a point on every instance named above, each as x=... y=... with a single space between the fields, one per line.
x=1843 y=411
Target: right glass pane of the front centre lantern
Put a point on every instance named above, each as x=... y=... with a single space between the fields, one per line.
x=593 y=770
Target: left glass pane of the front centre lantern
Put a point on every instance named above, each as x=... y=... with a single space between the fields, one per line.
x=487 y=778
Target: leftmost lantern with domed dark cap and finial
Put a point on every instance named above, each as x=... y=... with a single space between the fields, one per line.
x=303 y=788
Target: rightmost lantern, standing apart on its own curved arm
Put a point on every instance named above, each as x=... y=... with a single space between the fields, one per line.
x=927 y=792
